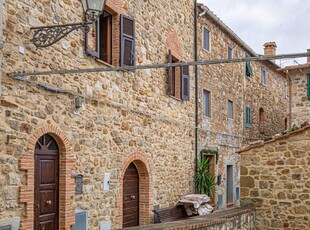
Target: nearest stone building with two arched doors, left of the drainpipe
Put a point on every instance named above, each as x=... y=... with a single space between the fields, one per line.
x=127 y=120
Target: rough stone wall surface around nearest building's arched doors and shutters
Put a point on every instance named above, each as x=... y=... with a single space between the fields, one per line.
x=123 y=113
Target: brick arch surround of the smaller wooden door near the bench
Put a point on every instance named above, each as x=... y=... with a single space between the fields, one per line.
x=145 y=188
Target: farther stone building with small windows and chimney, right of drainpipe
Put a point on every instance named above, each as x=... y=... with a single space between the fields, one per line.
x=239 y=102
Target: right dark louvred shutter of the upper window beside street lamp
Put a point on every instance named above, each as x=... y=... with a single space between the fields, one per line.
x=127 y=41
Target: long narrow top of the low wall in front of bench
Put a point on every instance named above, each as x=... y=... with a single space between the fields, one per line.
x=214 y=218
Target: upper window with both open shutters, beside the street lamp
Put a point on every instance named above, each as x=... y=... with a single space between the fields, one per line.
x=99 y=40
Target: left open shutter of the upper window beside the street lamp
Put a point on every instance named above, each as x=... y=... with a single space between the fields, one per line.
x=92 y=41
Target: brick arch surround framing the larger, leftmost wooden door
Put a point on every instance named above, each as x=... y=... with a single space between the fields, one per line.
x=66 y=185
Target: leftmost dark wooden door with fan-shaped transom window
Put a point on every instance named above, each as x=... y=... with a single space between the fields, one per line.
x=46 y=184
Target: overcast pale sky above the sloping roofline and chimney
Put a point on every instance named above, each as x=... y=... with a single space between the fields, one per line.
x=287 y=22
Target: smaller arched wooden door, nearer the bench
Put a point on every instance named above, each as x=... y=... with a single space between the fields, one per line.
x=131 y=197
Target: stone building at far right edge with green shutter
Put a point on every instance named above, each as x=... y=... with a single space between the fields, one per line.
x=299 y=92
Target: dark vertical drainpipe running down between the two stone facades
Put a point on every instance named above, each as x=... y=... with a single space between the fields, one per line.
x=196 y=87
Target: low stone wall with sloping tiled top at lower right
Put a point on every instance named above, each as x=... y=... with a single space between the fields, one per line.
x=275 y=179
